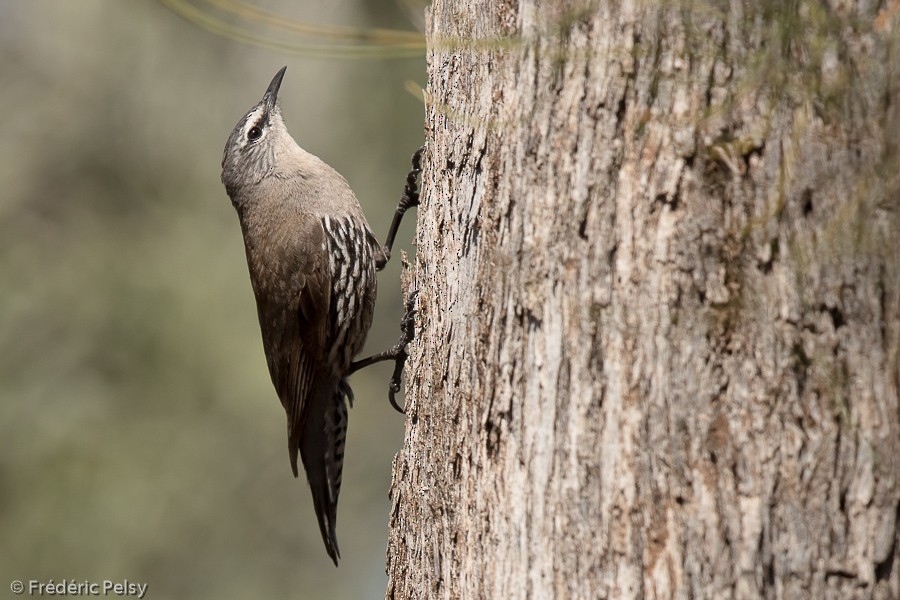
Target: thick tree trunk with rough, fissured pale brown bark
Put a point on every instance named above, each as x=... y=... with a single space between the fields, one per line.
x=658 y=279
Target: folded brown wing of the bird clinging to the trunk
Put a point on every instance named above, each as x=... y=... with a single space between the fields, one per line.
x=294 y=320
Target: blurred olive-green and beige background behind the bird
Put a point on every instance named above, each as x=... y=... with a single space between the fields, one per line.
x=141 y=436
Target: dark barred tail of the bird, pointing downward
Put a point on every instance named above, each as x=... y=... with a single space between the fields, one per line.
x=322 y=452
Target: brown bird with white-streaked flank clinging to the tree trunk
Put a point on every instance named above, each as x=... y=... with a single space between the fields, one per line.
x=312 y=259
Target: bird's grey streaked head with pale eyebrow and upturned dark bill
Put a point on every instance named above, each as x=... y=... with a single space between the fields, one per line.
x=254 y=144
